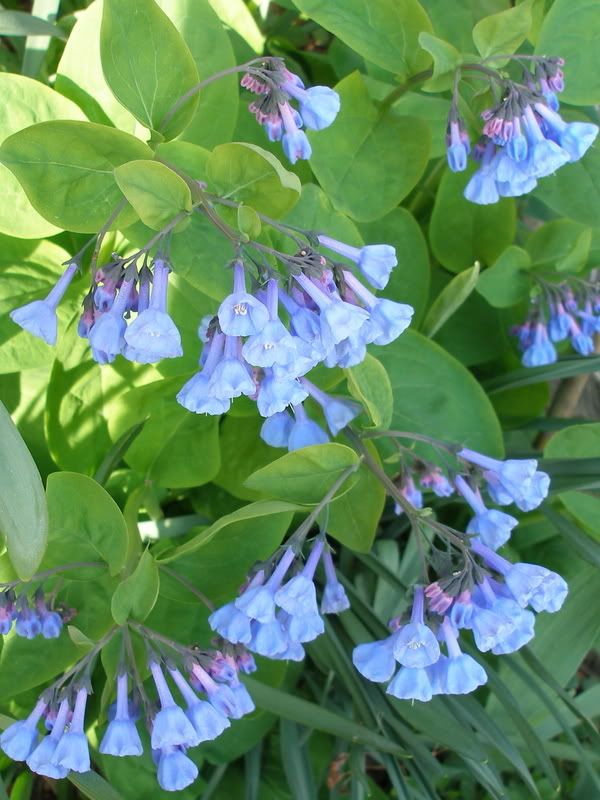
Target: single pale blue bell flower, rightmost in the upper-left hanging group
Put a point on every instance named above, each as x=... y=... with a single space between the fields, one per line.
x=153 y=335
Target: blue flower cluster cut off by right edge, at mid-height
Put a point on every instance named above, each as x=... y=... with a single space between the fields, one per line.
x=568 y=310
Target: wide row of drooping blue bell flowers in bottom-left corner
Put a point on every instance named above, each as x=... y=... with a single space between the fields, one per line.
x=212 y=695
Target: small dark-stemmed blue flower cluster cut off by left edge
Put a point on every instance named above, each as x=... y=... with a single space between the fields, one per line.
x=30 y=620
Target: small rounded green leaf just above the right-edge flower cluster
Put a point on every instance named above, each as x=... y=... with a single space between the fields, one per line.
x=560 y=244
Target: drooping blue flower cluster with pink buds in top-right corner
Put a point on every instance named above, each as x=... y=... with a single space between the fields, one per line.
x=524 y=136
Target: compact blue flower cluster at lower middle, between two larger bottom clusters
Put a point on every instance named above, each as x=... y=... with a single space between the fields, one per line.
x=274 y=617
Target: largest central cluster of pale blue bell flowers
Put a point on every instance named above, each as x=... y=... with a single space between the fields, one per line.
x=331 y=317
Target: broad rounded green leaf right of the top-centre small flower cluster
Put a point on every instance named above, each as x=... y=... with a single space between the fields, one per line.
x=367 y=162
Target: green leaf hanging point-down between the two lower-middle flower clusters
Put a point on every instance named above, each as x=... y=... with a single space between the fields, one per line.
x=353 y=518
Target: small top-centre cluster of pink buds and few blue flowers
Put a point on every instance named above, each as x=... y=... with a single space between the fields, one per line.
x=275 y=87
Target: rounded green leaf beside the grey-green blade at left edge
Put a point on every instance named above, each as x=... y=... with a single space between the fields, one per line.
x=85 y=524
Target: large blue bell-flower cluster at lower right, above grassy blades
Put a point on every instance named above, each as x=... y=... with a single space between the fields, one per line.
x=487 y=595
